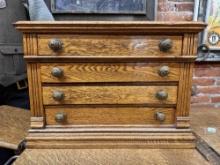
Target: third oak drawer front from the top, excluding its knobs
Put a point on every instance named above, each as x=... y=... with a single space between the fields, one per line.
x=108 y=94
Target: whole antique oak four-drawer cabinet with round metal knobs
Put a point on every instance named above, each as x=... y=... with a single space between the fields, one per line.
x=100 y=84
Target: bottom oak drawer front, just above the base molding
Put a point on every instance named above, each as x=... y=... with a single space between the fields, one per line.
x=81 y=116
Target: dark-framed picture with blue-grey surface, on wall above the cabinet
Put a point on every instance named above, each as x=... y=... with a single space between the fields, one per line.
x=105 y=8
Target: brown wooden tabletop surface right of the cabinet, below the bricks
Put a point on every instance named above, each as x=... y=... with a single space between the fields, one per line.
x=201 y=119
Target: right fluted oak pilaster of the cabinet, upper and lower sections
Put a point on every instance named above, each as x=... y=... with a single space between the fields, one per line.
x=190 y=42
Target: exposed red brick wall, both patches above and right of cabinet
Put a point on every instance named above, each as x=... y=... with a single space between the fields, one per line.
x=206 y=80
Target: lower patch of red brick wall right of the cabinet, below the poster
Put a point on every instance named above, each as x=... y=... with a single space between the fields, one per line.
x=206 y=82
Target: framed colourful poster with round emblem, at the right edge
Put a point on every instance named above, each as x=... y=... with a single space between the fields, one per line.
x=209 y=12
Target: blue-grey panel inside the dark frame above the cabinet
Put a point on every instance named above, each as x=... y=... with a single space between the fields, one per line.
x=99 y=6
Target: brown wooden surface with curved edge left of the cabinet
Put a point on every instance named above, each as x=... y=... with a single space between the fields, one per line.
x=14 y=125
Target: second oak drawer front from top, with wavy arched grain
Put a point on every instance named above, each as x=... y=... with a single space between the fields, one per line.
x=108 y=72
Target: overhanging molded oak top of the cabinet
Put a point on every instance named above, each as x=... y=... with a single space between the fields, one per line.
x=109 y=26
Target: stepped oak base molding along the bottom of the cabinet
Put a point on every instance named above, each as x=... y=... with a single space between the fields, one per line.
x=153 y=140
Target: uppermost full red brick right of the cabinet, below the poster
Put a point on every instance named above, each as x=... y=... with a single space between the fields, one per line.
x=207 y=72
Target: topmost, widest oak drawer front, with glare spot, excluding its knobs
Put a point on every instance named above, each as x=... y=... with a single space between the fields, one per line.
x=108 y=45
